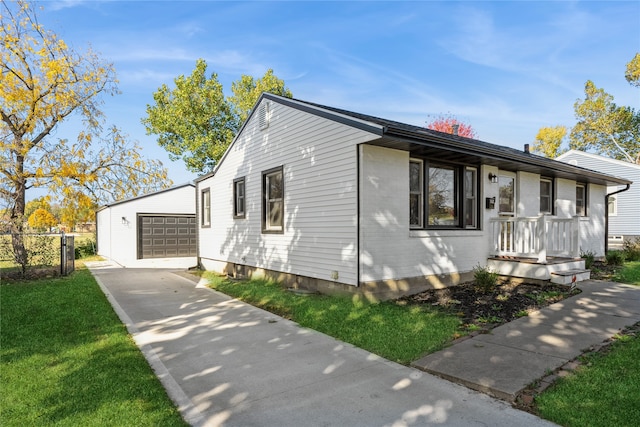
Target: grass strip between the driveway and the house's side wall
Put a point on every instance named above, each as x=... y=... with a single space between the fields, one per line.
x=401 y=333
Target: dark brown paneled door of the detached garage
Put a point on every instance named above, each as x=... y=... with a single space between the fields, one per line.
x=166 y=236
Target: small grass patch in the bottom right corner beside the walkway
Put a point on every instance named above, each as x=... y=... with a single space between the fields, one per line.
x=603 y=392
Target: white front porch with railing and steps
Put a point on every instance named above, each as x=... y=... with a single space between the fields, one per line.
x=542 y=248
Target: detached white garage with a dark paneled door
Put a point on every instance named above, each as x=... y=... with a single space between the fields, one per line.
x=157 y=229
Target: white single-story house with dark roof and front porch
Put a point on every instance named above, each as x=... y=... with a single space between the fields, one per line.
x=328 y=199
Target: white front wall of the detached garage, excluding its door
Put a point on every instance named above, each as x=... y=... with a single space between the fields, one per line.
x=118 y=238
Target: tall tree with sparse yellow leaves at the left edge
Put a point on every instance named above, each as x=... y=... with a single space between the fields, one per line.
x=42 y=82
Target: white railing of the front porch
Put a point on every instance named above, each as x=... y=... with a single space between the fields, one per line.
x=538 y=237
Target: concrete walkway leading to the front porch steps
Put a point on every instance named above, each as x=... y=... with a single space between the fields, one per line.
x=504 y=361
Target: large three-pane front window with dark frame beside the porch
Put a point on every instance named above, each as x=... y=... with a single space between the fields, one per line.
x=447 y=199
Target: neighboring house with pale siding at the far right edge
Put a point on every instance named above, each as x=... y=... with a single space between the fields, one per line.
x=623 y=208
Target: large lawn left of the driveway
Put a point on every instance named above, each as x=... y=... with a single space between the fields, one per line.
x=67 y=360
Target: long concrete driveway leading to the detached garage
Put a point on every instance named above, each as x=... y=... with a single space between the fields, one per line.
x=226 y=363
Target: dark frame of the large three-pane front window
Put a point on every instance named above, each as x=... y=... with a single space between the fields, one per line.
x=459 y=198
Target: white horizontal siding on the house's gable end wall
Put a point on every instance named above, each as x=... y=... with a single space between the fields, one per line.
x=319 y=164
